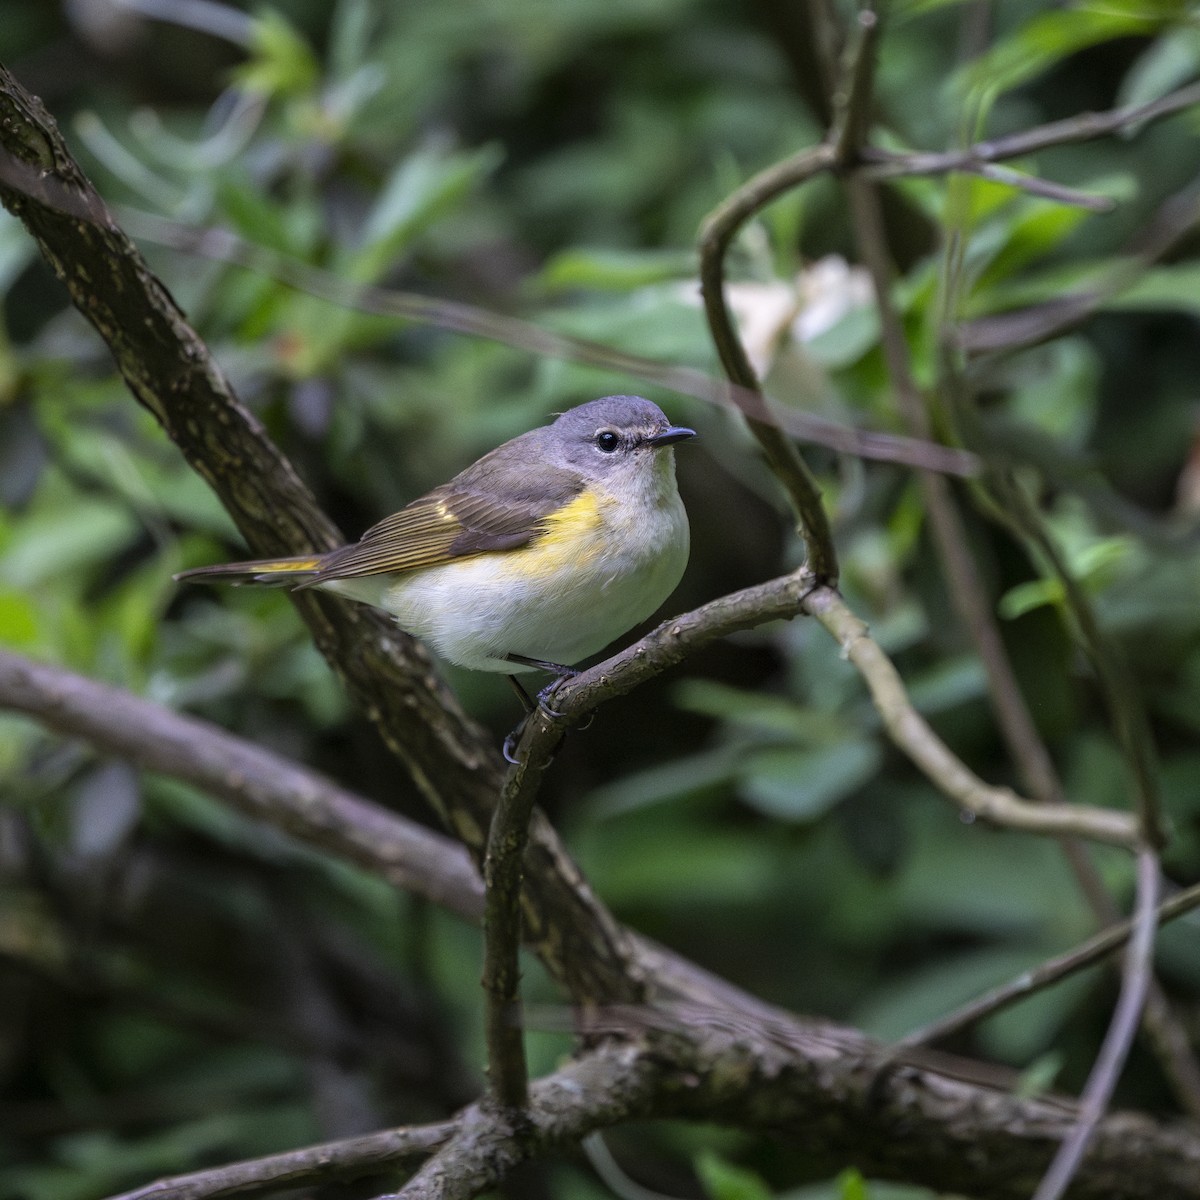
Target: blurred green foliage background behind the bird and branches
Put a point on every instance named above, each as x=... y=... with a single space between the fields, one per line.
x=182 y=988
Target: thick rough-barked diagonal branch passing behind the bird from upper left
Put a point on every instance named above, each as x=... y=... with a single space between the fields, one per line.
x=170 y=370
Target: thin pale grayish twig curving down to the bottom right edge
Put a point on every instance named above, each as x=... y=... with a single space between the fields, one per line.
x=1118 y=1042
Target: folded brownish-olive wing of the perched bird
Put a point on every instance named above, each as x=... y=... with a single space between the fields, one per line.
x=493 y=506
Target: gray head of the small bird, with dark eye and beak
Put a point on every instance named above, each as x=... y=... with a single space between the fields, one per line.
x=614 y=435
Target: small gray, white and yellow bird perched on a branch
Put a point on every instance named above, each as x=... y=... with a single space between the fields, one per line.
x=535 y=557
